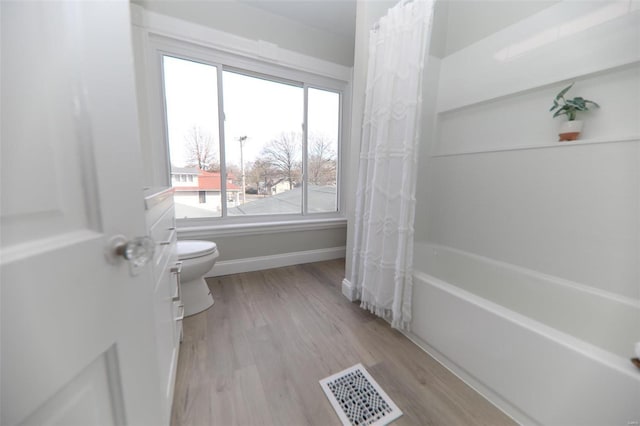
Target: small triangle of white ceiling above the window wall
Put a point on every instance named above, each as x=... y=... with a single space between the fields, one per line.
x=334 y=16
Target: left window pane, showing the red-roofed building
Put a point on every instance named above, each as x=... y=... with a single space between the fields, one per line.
x=191 y=93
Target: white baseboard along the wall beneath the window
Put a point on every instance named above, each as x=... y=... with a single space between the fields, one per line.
x=260 y=263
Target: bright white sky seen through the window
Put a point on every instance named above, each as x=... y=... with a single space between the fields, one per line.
x=256 y=108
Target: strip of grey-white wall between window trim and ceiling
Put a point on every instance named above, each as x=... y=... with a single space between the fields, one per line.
x=252 y=23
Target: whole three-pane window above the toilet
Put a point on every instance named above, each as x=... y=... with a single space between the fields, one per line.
x=276 y=153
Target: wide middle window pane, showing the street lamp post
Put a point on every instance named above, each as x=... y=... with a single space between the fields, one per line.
x=263 y=144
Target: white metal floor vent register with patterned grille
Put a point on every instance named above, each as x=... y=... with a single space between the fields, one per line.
x=358 y=399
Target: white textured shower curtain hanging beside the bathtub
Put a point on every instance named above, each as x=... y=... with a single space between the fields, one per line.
x=385 y=196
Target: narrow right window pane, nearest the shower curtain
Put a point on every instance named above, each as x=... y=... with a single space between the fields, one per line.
x=324 y=122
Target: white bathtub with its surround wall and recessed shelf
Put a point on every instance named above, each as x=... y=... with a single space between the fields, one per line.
x=530 y=271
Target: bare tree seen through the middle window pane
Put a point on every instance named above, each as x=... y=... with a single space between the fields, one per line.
x=283 y=154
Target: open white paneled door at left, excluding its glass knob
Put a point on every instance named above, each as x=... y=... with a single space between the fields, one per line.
x=77 y=332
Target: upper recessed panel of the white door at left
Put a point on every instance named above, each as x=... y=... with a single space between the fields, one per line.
x=44 y=173
